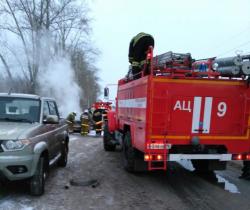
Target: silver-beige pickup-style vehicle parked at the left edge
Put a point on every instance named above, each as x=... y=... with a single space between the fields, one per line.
x=32 y=137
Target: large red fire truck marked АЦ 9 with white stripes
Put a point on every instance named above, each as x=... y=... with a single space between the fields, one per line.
x=176 y=113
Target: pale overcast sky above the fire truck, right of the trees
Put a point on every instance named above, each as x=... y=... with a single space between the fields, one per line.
x=205 y=28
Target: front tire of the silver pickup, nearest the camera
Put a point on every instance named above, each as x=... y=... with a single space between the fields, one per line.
x=37 y=182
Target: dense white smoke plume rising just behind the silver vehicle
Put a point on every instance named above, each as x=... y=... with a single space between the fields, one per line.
x=58 y=81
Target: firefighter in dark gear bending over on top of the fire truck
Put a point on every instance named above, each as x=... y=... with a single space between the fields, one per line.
x=138 y=52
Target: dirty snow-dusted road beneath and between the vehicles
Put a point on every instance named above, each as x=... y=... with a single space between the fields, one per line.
x=179 y=188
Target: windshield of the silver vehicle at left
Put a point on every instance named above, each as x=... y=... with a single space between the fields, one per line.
x=19 y=109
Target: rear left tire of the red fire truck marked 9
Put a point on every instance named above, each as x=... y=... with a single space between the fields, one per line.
x=129 y=153
